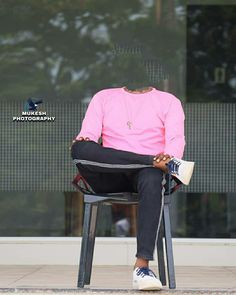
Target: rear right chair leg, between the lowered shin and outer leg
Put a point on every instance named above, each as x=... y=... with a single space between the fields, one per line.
x=160 y=255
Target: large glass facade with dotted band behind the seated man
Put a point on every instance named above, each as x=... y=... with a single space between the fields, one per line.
x=63 y=52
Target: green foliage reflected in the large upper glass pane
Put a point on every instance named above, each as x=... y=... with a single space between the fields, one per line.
x=65 y=49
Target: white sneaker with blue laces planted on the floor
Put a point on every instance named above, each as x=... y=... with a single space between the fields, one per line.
x=145 y=279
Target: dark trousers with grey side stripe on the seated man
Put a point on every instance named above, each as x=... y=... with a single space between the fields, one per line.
x=110 y=170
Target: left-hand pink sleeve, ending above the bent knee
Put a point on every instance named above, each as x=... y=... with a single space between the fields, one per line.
x=92 y=123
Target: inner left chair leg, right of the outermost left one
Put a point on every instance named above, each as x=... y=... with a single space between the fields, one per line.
x=91 y=242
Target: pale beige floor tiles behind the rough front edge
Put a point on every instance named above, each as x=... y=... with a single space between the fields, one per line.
x=112 y=277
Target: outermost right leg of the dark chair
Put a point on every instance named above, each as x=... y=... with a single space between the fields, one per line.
x=169 y=249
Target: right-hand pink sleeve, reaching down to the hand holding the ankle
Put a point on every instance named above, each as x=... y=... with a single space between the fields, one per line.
x=174 y=129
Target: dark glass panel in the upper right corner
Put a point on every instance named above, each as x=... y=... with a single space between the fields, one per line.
x=211 y=43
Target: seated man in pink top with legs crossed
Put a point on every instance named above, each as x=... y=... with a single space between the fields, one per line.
x=142 y=133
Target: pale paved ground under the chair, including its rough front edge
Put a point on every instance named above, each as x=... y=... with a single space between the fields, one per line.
x=111 y=279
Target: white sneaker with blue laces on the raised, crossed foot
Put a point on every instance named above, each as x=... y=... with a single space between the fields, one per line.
x=181 y=169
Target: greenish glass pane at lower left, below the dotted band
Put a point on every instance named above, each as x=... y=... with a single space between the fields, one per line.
x=32 y=214
